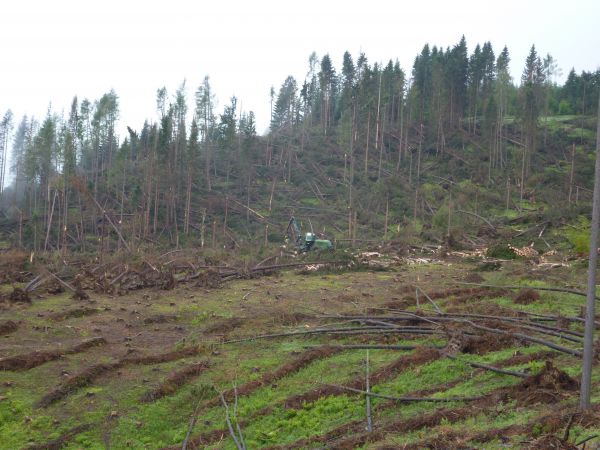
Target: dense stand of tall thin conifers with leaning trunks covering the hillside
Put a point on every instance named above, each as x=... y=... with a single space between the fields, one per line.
x=363 y=142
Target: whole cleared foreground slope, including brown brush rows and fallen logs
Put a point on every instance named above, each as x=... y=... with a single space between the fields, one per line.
x=144 y=369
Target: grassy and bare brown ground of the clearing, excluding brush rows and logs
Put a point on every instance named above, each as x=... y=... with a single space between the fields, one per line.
x=152 y=322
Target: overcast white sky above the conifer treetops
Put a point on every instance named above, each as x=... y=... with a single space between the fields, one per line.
x=53 y=50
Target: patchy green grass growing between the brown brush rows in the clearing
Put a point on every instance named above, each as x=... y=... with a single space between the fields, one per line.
x=165 y=422
